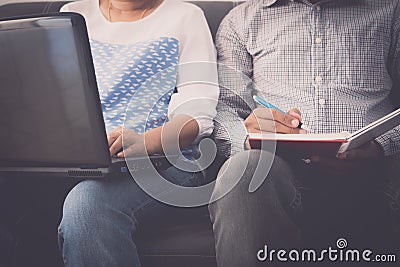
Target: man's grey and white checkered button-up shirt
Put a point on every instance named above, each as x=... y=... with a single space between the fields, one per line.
x=336 y=61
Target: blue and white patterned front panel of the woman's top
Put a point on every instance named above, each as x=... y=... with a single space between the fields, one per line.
x=124 y=73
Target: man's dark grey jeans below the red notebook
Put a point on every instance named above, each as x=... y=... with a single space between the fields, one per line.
x=297 y=205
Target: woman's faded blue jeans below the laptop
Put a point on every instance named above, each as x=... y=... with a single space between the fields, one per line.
x=100 y=218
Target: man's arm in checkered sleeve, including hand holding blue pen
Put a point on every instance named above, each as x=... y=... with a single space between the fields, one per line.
x=236 y=114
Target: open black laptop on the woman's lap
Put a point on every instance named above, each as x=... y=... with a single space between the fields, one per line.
x=50 y=112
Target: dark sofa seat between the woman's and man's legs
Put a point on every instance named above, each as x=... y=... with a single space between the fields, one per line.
x=186 y=238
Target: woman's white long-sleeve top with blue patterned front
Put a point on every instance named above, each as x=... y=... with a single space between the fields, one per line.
x=137 y=63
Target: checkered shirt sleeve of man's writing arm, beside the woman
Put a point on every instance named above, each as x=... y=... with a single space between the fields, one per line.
x=235 y=79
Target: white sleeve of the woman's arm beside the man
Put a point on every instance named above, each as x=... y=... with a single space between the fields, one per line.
x=197 y=90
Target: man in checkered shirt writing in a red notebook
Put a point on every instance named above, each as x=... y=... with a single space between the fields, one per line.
x=336 y=61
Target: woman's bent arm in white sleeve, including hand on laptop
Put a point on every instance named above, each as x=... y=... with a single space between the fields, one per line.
x=192 y=107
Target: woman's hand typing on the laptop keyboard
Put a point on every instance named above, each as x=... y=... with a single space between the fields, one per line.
x=126 y=140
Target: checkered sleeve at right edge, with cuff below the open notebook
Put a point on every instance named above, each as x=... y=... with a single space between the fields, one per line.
x=390 y=141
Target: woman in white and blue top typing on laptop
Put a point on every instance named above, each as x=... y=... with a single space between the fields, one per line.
x=132 y=42
